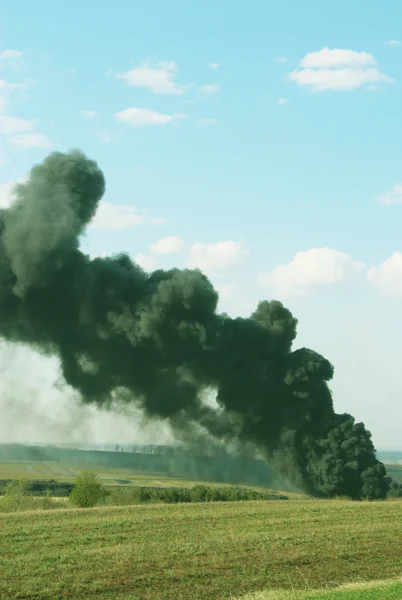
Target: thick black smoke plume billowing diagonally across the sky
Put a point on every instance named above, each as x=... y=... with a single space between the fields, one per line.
x=157 y=340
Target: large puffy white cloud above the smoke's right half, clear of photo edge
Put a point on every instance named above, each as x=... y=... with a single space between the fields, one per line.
x=318 y=266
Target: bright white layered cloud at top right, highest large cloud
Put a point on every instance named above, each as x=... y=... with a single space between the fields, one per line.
x=338 y=69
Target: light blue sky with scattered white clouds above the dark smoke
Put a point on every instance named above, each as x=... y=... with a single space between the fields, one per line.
x=259 y=141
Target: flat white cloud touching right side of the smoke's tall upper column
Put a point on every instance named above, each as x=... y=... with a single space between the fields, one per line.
x=115 y=217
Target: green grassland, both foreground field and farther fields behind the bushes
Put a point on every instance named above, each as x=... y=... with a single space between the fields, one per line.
x=301 y=549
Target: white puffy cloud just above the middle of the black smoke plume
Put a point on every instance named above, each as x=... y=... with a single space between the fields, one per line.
x=216 y=257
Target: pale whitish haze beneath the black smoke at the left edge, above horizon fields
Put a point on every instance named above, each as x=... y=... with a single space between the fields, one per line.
x=36 y=407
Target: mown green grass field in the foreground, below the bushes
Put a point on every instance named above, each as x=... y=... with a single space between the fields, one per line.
x=201 y=551
